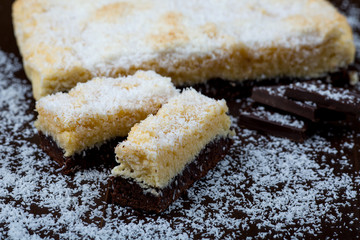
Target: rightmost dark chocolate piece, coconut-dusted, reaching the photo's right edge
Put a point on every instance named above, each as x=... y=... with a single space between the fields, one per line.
x=325 y=95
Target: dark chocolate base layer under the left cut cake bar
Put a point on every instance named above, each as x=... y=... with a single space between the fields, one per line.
x=86 y=159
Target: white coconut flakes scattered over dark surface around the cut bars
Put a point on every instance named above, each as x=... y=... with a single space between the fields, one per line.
x=262 y=192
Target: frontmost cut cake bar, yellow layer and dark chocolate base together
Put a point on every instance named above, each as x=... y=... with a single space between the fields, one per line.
x=166 y=153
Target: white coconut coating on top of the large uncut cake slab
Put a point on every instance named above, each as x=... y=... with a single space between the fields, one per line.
x=259 y=24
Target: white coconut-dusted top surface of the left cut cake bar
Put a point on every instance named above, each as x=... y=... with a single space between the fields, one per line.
x=105 y=96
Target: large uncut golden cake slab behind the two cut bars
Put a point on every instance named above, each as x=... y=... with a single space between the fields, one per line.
x=63 y=43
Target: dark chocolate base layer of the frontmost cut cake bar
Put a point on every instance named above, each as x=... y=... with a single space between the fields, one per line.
x=127 y=192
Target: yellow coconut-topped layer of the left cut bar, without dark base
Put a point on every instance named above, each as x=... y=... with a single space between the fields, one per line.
x=101 y=109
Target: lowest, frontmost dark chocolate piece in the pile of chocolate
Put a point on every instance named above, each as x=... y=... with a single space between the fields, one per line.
x=278 y=124
